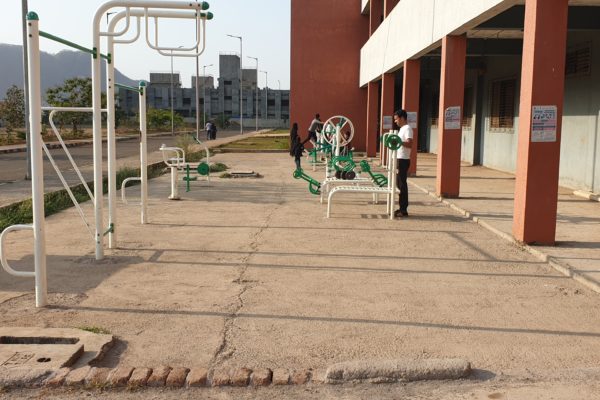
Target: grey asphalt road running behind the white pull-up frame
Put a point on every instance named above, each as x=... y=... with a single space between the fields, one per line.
x=13 y=166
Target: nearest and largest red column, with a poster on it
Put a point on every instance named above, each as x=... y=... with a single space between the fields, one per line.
x=538 y=154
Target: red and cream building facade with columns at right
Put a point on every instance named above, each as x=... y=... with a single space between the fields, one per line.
x=511 y=85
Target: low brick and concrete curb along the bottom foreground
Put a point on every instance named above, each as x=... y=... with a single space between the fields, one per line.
x=163 y=376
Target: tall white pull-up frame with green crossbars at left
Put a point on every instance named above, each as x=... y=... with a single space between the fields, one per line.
x=147 y=9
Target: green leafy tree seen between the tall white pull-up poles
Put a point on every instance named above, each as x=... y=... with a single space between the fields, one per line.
x=74 y=92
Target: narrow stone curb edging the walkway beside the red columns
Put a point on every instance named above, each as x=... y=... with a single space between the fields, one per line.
x=563 y=267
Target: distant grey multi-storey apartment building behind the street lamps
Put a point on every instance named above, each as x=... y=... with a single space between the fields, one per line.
x=220 y=101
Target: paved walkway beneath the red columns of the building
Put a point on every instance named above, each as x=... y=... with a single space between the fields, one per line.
x=487 y=196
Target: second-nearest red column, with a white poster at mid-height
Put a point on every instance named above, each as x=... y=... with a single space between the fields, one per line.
x=452 y=86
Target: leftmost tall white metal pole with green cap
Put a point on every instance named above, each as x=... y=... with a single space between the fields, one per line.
x=37 y=166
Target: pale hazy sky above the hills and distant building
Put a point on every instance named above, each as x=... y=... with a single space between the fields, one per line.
x=263 y=24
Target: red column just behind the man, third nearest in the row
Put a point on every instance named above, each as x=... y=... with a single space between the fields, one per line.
x=410 y=103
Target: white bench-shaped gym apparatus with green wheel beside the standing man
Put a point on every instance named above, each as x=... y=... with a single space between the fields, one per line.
x=392 y=144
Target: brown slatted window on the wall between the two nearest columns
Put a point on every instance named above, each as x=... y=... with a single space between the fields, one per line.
x=502 y=107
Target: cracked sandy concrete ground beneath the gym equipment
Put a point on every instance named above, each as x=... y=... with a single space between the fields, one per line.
x=248 y=272
